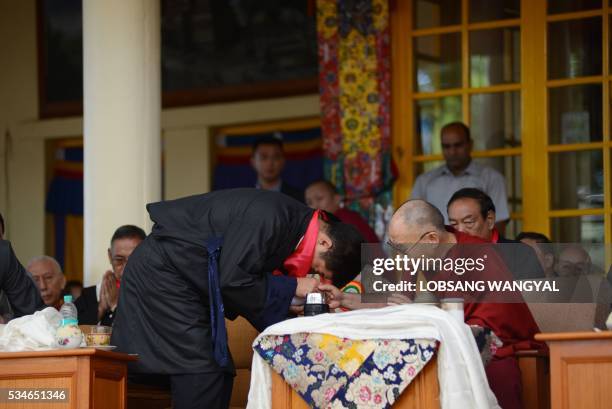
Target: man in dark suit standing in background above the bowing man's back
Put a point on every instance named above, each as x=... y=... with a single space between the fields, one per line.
x=268 y=160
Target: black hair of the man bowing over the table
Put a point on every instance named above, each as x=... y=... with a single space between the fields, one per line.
x=344 y=256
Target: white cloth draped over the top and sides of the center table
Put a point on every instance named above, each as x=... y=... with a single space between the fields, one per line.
x=463 y=382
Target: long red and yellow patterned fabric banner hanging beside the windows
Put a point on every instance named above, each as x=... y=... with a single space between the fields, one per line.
x=354 y=78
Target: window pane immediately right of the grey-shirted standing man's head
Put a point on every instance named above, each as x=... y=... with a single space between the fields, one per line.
x=495 y=120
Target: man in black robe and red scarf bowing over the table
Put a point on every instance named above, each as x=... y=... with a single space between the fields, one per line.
x=222 y=254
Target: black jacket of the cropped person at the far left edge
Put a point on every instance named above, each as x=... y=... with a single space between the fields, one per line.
x=20 y=290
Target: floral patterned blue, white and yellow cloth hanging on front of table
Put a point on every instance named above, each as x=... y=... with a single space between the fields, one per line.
x=332 y=372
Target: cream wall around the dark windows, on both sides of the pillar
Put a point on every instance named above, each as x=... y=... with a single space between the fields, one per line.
x=185 y=131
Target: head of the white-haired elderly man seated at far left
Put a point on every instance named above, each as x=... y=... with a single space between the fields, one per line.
x=49 y=279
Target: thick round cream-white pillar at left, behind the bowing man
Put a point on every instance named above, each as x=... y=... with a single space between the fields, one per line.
x=122 y=137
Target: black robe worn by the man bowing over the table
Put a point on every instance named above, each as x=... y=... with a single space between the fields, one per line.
x=163 y=312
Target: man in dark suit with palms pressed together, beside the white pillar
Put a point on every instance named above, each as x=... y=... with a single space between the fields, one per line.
x=97 y=303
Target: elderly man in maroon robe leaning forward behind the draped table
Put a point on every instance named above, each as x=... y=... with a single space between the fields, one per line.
x=418 y=222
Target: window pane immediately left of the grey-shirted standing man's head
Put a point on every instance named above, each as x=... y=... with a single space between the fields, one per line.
x=431 y=116
